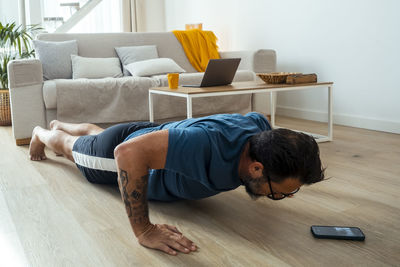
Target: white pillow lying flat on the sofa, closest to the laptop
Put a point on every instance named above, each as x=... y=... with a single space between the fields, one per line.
x=153 y=67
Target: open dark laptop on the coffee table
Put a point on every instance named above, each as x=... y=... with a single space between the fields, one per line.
x=218 y=72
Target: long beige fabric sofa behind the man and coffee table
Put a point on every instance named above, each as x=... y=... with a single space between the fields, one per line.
x=37 y=102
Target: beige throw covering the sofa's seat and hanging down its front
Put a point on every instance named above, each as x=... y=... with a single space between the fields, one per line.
x=122 y=99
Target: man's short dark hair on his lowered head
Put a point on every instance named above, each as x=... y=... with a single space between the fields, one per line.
x=285 y=153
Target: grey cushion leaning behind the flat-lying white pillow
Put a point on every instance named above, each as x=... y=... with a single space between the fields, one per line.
x=130 y=54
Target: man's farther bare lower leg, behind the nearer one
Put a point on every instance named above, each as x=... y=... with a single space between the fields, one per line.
x=76 y=129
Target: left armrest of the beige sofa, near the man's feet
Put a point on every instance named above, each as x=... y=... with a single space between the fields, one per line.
x=25 y=81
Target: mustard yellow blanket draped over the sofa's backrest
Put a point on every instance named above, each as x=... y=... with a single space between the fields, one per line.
x=199 y=46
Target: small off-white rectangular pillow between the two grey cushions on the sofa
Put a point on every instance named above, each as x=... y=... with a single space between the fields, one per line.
x=95 y=68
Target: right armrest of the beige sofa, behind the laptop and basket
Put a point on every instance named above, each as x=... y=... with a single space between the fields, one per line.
x=259 y=61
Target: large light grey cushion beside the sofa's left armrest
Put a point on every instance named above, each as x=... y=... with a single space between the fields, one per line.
x=56 y=58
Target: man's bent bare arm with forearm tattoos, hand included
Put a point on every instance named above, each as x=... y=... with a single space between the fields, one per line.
x=134 y=158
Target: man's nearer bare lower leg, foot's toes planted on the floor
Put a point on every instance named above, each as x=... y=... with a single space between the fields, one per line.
x=58 y=141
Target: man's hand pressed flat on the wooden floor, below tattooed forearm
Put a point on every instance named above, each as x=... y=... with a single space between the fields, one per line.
x=166 y=238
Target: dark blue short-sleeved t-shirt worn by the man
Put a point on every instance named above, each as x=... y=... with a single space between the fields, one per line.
x=203 y=155
